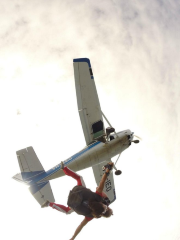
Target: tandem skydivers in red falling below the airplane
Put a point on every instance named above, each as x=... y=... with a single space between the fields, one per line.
x=83 y=201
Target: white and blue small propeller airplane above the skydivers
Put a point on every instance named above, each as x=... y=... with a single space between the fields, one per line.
x=102 y=144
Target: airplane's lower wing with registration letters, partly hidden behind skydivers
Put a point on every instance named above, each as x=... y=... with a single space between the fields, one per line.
x=109 y=187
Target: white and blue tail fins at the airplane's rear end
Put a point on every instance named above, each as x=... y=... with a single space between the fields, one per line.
x=31 y=167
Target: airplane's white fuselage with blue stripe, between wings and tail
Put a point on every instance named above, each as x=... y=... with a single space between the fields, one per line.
x=92 y=155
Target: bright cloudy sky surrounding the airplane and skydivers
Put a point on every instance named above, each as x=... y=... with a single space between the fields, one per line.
x=133 y=47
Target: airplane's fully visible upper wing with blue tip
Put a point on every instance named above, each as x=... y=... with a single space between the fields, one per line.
x=88 y=101
